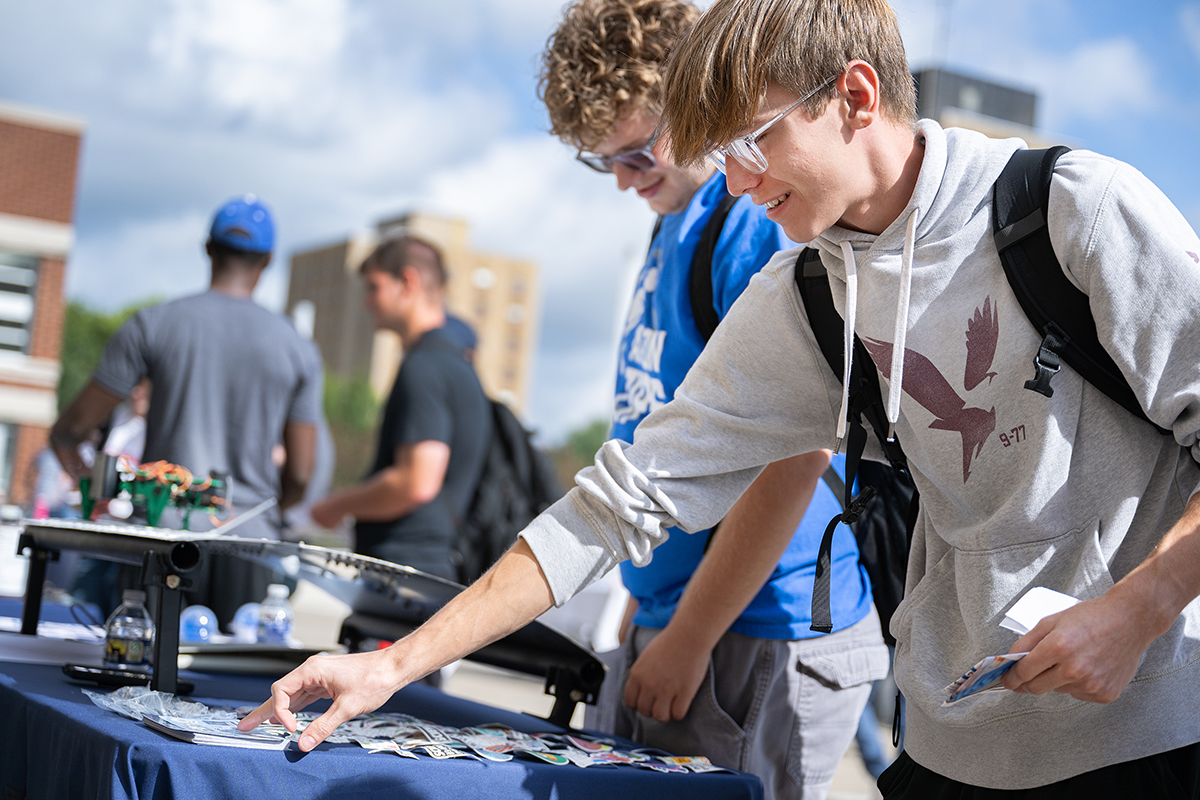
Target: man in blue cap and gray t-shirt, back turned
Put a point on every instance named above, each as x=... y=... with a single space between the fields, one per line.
x=231 y=381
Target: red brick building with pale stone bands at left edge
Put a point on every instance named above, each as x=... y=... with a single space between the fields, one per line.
x=40 y=157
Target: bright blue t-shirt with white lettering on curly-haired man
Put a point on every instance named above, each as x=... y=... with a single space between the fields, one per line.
x=659 y=345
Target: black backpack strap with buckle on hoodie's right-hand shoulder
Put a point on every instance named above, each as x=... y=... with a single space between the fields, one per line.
x=1055 y=308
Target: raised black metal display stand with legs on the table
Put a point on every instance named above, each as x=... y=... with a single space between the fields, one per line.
x=389 y=600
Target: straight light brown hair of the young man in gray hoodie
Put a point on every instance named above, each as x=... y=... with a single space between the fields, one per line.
x=718 y=75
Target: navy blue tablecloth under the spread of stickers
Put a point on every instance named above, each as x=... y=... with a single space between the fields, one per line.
x=56 y=744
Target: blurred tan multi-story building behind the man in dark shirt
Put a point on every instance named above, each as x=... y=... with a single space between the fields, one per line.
x=496 y=296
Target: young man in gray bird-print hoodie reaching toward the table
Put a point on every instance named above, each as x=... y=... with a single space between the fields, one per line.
x=812 y=106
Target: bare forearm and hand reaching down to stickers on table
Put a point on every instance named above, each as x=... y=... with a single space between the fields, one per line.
x=509 y=597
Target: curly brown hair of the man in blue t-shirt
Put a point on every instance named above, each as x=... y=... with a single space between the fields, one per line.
x=607 y=59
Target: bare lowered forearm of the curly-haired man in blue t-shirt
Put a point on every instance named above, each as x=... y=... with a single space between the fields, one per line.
x=749 y=544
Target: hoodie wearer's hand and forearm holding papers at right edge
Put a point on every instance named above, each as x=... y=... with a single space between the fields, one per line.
x=1093 y=651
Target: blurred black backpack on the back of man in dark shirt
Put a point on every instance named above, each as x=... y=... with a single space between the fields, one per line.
x=517 y=485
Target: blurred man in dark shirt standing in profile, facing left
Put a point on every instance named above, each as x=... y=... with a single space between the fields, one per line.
x=436 y=425
